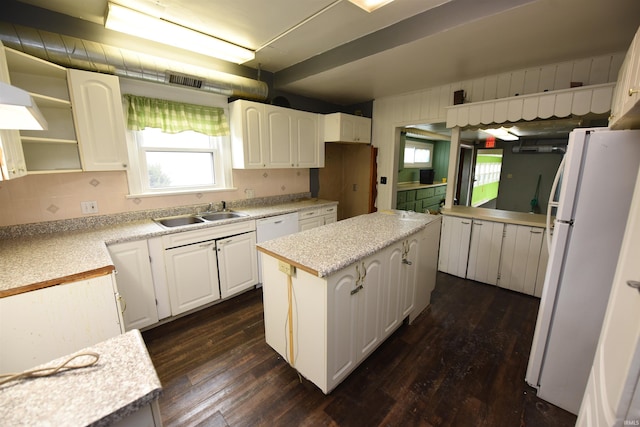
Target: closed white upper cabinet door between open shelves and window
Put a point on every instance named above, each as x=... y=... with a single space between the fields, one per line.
x=99 y=120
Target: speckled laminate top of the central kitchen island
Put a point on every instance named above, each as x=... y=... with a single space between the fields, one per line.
x=325 y=250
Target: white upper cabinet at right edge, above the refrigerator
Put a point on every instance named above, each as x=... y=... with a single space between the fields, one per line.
x=625 y=109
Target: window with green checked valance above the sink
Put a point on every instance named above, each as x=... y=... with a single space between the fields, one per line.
x=176 y=147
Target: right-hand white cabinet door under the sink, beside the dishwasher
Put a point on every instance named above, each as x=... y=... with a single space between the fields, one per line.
x=237 y=263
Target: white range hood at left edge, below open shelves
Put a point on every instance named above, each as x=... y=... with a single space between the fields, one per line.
x=18 y=110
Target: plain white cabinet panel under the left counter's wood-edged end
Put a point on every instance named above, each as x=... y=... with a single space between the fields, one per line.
x=42 y=325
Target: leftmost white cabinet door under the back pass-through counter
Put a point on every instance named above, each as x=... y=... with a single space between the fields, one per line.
x=454 y=245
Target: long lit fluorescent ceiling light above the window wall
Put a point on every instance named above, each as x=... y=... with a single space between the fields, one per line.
x=138 y=24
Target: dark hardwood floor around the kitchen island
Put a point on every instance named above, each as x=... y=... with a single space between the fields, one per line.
x=462 y=363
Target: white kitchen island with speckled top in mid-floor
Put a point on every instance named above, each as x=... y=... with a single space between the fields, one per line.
x=333 y=294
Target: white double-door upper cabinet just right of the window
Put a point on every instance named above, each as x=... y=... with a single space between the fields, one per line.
x=270 y=137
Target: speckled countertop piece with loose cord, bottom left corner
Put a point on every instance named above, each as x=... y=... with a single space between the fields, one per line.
x=121 y=382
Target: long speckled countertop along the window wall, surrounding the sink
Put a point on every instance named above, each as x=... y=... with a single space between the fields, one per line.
x=37 y=261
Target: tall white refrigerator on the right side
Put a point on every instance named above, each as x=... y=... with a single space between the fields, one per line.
x=598 y=180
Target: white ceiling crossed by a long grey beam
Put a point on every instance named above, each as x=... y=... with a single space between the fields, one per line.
x=334 y=51
